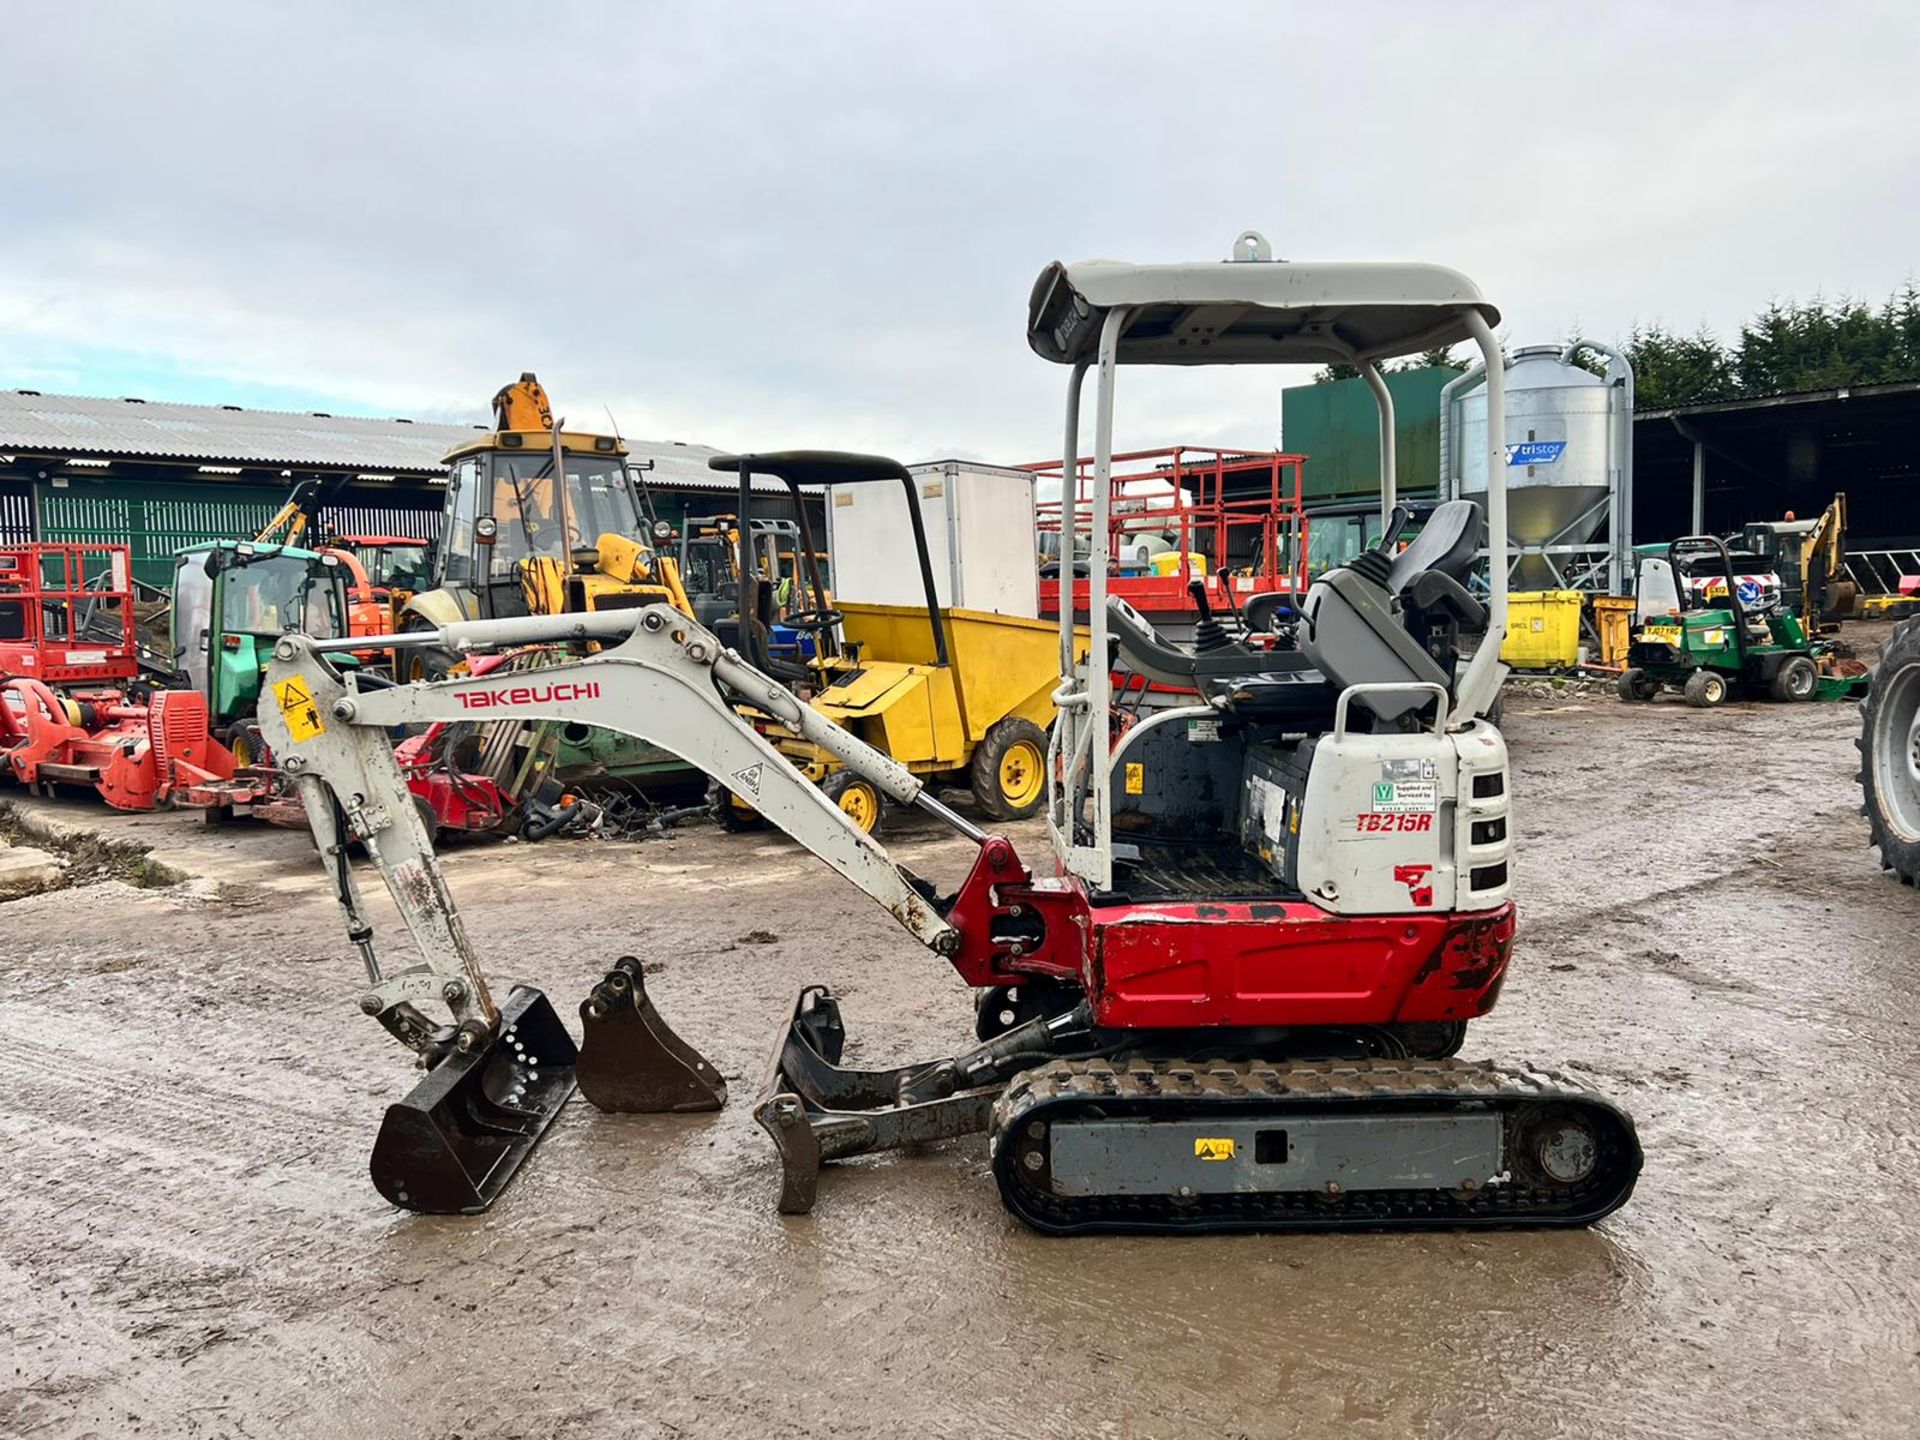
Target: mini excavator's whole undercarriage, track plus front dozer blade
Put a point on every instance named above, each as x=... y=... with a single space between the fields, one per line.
x=1195 y=1132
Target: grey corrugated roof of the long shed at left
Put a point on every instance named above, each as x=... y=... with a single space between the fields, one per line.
x=226 y=435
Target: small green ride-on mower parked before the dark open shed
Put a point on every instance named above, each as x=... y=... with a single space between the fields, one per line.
x=1708 y=644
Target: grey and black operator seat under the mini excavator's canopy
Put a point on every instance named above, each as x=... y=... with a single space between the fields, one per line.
x=1353 y=627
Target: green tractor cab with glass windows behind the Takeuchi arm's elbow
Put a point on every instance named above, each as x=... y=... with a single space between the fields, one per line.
x=233 y=600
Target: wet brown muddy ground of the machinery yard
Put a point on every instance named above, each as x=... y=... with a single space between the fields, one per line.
x=189 y=1243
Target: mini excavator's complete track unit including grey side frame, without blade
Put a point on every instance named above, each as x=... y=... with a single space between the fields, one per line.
x=1189 y=1147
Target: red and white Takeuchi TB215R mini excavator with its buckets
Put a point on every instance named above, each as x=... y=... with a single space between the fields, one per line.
x=1274 y=913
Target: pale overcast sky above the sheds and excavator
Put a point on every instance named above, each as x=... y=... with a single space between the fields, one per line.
x=817 y=224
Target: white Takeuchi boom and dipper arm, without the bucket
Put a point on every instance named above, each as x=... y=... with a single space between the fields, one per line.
x=663 y=683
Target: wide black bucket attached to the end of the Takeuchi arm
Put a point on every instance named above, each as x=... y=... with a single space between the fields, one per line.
x=464 y=1132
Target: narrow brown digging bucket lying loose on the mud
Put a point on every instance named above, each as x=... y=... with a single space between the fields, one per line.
x=631 y=1061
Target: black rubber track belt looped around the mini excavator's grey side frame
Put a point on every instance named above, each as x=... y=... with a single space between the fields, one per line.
x=1220 y=1090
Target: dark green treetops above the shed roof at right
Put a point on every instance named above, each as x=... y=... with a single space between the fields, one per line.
x=1787 y=348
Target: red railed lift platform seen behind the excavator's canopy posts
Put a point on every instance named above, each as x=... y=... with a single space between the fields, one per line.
x=1197 y=514
